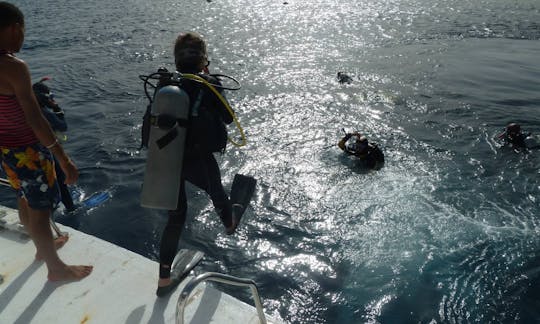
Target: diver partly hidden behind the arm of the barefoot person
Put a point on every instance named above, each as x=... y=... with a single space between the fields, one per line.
x=55 y=116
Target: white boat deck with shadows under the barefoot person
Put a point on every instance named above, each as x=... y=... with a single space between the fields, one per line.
x=121 y=288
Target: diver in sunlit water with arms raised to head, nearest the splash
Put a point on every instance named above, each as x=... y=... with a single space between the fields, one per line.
x=358 y=145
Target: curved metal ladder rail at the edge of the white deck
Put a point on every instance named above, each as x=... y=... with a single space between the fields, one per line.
x=217 y=277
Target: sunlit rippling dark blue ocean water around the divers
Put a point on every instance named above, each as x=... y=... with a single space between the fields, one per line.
x=447 y=232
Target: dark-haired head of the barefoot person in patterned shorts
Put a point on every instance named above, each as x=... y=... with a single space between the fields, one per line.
x=11 y=27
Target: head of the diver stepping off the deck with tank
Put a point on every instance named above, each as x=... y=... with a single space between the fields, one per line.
x=190 y=55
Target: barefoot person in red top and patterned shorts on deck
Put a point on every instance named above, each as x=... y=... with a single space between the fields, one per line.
x=27 y=146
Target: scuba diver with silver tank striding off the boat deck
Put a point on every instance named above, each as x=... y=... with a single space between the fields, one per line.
x=187 y=117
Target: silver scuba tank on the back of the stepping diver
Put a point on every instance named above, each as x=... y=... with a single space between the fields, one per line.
x=170 y=113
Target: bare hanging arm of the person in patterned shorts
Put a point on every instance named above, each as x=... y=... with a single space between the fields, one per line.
x=22 y=87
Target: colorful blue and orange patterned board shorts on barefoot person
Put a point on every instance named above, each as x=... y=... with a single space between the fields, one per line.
x=30 y=171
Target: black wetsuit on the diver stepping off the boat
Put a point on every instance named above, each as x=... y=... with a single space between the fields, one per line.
x=199 y=167
